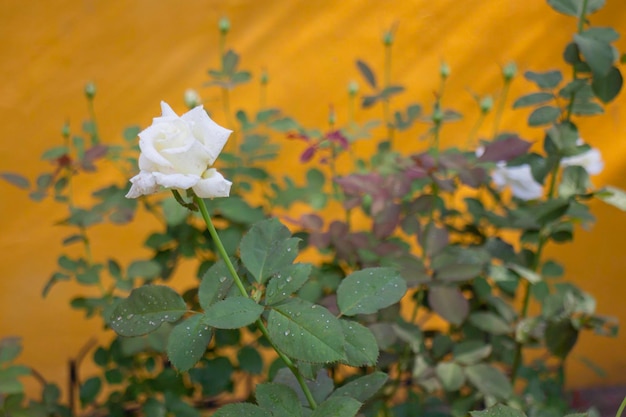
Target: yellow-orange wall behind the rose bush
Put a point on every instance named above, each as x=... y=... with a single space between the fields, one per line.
x=139 y=52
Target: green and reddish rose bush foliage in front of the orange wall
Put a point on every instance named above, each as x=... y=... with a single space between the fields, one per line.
x=434 y=229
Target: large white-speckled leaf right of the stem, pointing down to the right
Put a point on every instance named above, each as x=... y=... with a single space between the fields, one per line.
x=306 y=331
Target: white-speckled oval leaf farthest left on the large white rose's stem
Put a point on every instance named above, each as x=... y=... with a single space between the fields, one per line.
x=145 y=309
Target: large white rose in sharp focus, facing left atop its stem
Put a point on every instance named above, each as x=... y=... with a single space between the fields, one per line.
x=177 y=152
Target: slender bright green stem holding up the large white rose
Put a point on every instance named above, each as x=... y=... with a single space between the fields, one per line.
x=229 y=265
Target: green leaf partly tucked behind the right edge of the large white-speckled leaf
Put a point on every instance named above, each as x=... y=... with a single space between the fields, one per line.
x=361 y=347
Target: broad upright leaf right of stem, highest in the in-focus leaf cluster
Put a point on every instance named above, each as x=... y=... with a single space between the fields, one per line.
x=268 y=247
